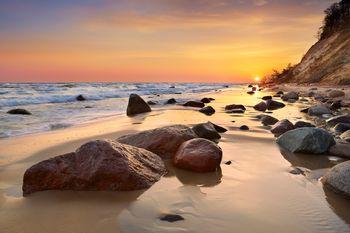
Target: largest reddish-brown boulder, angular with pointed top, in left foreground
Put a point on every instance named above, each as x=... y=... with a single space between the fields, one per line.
x=100 y=165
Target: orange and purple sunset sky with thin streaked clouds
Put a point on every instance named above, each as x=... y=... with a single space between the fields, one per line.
x=153 y=40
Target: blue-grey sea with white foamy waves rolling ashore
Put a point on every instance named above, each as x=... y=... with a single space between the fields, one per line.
x=54 y=105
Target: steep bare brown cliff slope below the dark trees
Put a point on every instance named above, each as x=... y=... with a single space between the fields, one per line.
x=326 y=62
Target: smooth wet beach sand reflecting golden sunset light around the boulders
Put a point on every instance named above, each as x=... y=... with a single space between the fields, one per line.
x=256 y=193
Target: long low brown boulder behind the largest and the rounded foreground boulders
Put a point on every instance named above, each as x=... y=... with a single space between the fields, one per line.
x=162 y=141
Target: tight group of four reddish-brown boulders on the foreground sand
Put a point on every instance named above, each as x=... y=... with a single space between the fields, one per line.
x=131 y=162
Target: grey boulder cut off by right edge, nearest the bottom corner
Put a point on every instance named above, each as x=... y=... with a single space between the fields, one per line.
x=338 y=179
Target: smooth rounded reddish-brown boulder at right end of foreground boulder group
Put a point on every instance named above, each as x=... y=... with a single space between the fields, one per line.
x=199 y=155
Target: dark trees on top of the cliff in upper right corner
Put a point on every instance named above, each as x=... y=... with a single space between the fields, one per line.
x=337 y=18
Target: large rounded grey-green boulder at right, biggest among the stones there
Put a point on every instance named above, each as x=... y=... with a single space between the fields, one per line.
x=306 y=140
